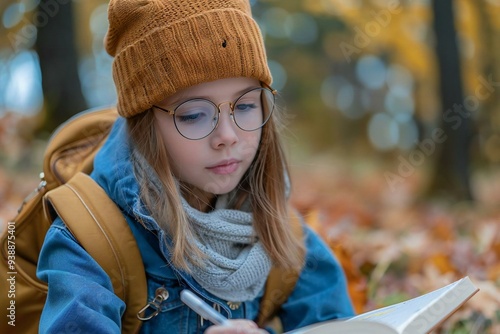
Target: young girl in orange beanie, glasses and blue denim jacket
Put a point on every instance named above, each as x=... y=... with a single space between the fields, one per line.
x=196 y=166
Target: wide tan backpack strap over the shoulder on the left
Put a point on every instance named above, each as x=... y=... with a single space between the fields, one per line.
x=100 y=227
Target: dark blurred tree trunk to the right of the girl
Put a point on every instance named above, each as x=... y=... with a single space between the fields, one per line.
x=452 y=171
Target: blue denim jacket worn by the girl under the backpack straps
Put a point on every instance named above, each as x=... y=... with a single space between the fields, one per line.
x=81 y=299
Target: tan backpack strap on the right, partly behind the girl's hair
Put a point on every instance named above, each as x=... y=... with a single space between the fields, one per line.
x=281 y=282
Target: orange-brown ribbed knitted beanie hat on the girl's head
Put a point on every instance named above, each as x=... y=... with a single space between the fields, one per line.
x=163 y=46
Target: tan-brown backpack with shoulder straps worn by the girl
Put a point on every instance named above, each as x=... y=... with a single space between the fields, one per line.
x=66 y=190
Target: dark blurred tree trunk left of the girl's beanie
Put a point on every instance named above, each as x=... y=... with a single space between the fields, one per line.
x=59 y=63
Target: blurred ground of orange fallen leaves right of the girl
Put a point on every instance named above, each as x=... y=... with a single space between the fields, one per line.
x=395 y=245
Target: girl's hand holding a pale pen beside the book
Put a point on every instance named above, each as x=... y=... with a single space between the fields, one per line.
x=222 y=324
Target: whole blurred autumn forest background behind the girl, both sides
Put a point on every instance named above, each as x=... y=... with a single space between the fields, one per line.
x=393 y=107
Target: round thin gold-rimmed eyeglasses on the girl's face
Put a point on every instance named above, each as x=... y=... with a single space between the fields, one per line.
x=197 y=118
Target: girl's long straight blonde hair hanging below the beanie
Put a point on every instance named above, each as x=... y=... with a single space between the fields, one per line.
x=264 y=183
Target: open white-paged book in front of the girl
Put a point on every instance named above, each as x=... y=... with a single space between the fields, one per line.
x=416 y=316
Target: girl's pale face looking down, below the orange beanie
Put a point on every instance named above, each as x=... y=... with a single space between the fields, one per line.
x=217 y=162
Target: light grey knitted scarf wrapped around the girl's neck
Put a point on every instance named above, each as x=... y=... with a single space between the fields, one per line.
x=236 y=266
